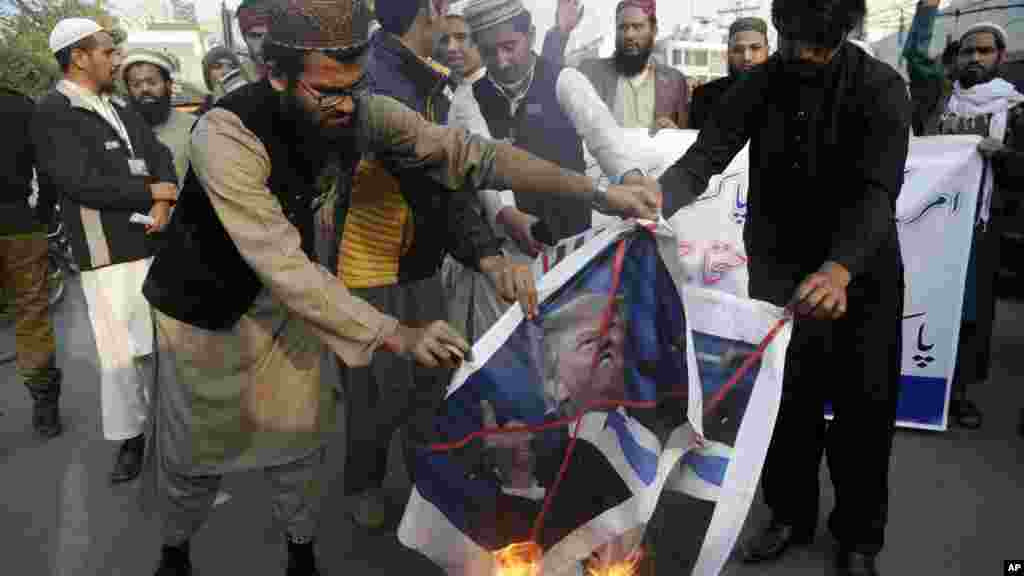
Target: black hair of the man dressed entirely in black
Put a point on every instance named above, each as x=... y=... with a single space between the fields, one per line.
x=823 y=24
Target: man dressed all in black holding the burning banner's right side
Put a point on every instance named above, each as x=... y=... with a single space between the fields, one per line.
x=829 y=130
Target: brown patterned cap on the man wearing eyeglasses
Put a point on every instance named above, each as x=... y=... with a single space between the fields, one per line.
x=325 y=26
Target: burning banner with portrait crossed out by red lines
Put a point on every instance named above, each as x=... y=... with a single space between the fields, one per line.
x=561 y=437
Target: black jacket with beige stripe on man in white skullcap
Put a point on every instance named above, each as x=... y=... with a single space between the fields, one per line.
x=84 y=163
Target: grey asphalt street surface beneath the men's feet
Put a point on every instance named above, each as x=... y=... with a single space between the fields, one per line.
x=957 y=505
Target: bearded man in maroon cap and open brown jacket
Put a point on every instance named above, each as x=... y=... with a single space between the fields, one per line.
x=642 y=93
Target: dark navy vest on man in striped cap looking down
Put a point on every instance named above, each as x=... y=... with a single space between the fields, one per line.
x=540 y=128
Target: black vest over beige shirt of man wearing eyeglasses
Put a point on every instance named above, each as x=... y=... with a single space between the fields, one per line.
x=200 y=278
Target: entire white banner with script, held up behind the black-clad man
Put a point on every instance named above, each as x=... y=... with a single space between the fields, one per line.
x=936 y=214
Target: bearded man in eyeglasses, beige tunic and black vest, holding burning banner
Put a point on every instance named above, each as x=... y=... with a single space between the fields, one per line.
x=242 y=311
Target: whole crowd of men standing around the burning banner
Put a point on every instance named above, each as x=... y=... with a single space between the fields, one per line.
x=349 y=191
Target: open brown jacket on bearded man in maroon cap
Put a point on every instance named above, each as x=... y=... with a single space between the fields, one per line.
x=671 y=92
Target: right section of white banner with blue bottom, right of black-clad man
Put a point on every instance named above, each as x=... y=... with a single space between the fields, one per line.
x=936 y=215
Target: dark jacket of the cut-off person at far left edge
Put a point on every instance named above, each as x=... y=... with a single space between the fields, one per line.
x=17 y=160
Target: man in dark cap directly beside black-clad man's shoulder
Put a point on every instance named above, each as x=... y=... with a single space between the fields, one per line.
x=748 y=49
